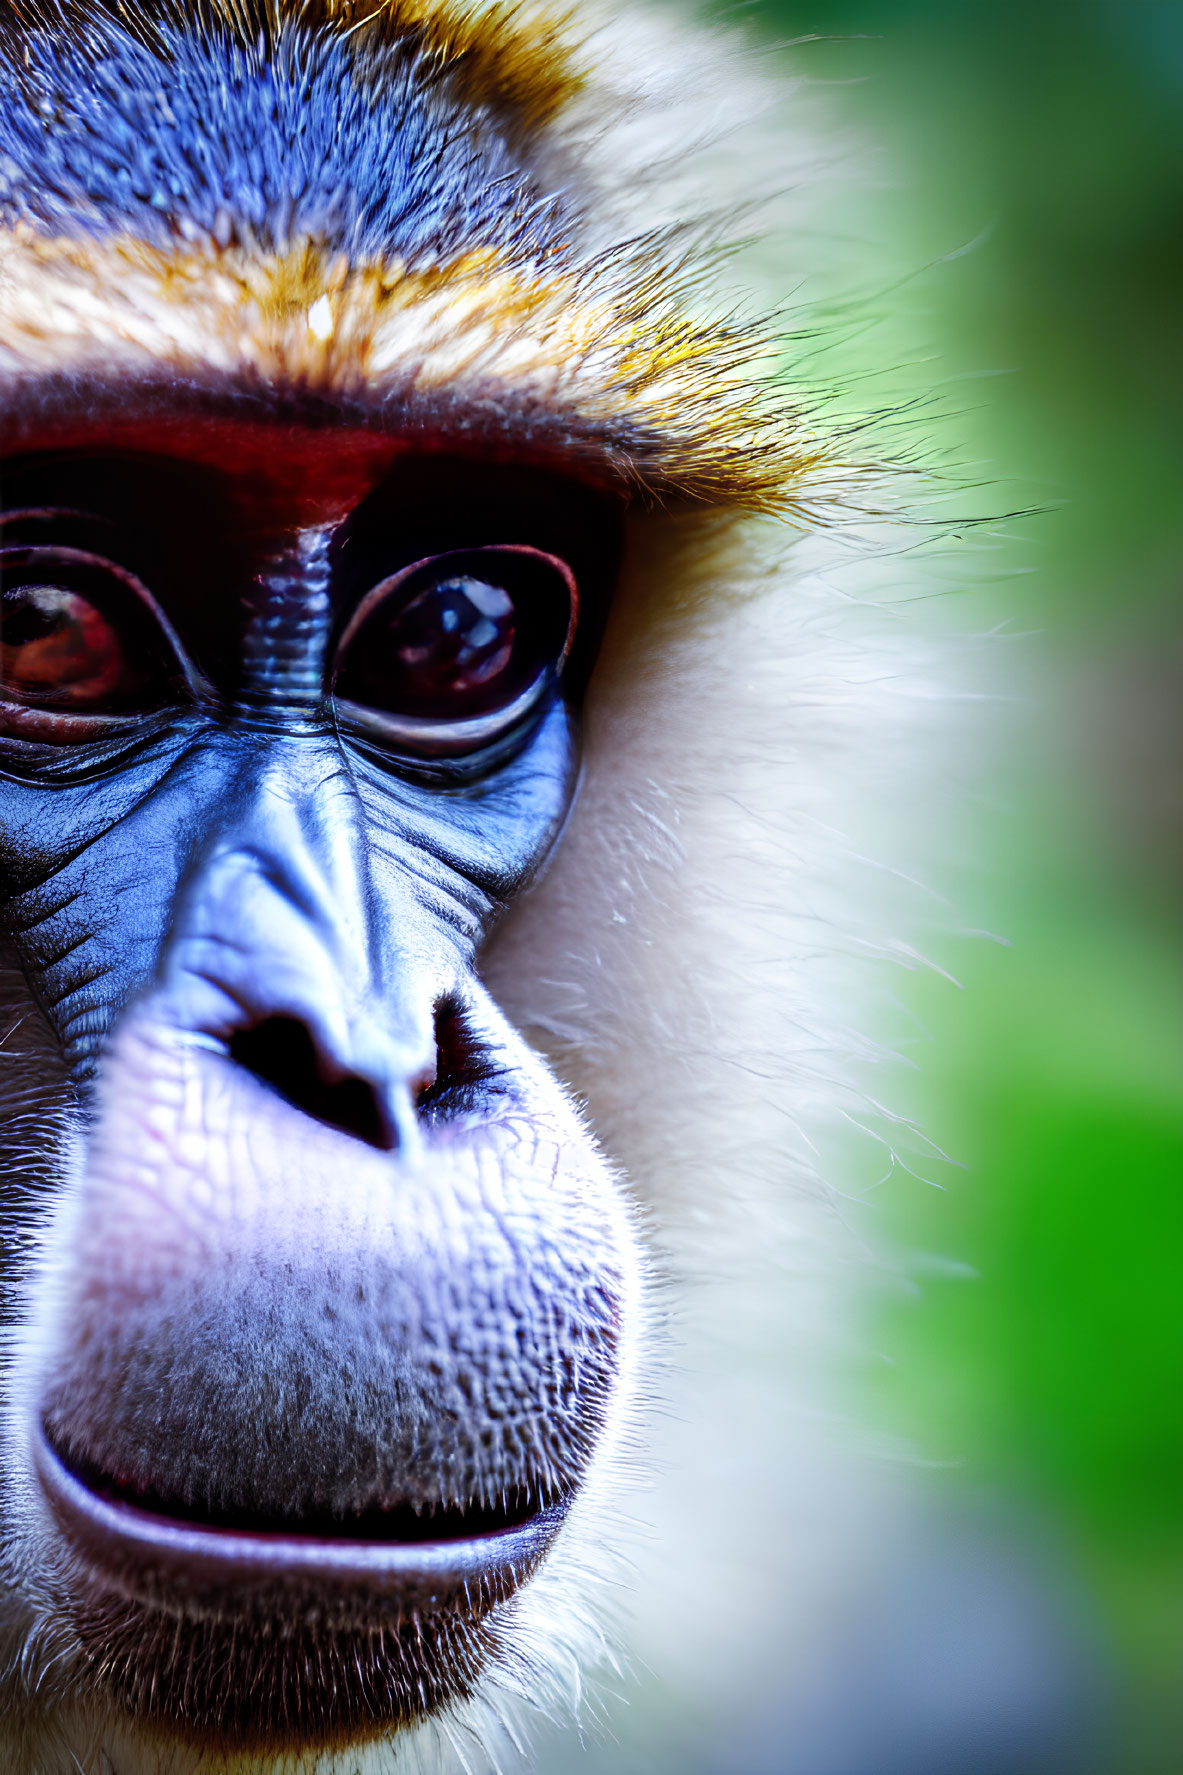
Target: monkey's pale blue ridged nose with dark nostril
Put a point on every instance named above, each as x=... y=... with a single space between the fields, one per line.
x=276 y=961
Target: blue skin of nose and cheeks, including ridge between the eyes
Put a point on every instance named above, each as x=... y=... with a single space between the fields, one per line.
x=242 y=856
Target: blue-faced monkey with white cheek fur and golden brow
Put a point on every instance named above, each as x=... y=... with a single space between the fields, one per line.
x=377 y=471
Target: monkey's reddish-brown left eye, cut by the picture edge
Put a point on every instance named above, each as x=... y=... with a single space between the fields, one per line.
x=77 y=640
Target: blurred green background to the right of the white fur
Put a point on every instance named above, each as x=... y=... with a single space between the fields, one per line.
x=1051 y=136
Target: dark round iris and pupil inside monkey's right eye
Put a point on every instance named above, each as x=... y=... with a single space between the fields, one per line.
x=456 y=636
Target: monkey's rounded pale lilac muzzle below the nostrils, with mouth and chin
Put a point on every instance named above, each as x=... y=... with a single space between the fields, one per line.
x=271 y=1350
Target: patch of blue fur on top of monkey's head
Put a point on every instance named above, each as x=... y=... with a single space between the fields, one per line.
x=100 y=134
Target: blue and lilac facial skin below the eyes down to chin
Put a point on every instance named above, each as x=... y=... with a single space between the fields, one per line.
x=328 y=1323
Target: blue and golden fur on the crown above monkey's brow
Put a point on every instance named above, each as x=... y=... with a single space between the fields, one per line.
x=310 y=200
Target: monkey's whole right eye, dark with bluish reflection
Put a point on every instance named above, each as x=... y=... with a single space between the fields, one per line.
x=450 y=654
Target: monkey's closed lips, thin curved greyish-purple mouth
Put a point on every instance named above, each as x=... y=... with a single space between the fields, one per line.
x=401 y=1552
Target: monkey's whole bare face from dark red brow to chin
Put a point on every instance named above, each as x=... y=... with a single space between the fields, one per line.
x=335 y=1300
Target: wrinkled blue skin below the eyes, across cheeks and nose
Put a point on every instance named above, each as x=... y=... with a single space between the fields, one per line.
x=386 y=885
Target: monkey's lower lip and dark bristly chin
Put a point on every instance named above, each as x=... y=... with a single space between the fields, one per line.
x=280 y=1636
